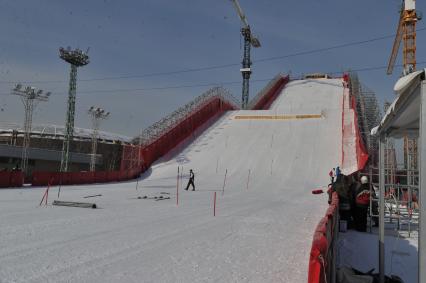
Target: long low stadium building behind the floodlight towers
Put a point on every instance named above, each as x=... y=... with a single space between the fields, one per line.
x=46 y=147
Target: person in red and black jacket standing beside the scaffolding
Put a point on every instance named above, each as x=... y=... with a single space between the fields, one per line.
x=362 y=201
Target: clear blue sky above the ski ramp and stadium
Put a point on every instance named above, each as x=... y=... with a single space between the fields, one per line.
x=130 y=38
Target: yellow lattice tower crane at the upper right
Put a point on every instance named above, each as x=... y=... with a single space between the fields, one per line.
x=406 y=31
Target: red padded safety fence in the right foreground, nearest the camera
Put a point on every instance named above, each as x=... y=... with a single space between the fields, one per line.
x=322 y=261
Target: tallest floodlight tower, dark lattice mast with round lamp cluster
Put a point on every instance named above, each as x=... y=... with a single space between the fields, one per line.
x=76 y=58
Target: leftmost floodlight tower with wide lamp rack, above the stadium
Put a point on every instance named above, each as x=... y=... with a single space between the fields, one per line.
x=30 y=97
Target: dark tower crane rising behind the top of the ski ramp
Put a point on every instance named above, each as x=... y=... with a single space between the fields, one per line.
x=249 y=40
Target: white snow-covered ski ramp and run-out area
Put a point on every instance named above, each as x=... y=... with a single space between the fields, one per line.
x=264 y=221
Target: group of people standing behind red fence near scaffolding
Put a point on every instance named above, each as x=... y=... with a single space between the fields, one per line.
x=354 y=199
